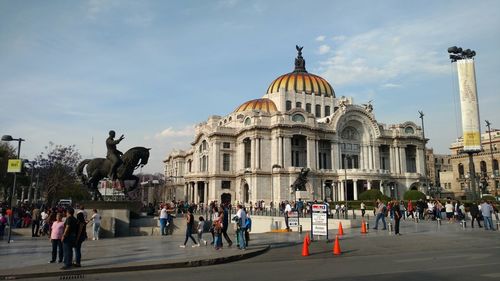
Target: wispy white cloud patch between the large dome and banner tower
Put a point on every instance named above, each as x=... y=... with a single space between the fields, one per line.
x=379 y=55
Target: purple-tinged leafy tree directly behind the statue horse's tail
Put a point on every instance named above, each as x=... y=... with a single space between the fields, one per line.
x=57 y=173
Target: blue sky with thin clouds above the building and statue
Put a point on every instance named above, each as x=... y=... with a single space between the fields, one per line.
x=70 y=71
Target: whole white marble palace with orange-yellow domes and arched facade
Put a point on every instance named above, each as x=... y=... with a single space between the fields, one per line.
x=300 y=125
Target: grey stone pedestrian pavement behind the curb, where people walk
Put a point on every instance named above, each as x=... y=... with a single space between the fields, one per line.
x=28 y=257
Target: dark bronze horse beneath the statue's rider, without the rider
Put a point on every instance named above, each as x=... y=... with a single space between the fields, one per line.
x=99 y=168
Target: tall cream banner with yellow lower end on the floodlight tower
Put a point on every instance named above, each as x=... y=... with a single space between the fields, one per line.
x=469 y=105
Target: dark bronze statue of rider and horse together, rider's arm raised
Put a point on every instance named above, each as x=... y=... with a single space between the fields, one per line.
x=117 y=166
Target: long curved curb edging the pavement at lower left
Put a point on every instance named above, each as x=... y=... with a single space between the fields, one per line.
x=79 y=273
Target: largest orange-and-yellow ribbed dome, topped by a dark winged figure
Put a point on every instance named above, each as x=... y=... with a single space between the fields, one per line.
x=300 y=80
